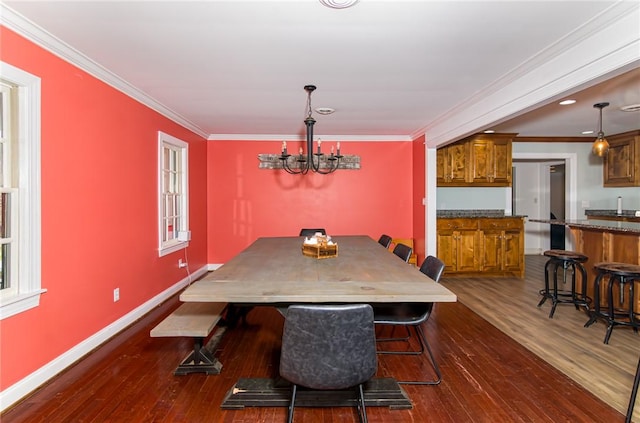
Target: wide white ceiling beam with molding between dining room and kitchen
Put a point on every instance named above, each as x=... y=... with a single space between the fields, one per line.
x=606 y=46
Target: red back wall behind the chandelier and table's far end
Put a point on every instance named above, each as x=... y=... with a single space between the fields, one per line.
x=245 y=202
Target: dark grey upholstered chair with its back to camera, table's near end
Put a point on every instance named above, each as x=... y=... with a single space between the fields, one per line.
x=329 y=347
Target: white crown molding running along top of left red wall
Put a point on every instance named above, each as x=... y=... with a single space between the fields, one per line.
x=34 y=33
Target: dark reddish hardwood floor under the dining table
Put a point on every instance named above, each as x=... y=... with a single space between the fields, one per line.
x=487 y=377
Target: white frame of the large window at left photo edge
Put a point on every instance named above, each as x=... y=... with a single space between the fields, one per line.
x=28 y=226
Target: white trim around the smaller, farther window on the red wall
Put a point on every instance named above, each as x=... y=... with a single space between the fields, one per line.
x=171 y=246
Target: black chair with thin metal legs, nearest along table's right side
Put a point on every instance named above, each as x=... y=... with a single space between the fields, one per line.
x=412 y=315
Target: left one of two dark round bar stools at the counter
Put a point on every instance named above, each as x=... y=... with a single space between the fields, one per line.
x=565 y=260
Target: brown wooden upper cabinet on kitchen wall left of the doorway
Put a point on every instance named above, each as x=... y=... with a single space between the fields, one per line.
x=479 y=160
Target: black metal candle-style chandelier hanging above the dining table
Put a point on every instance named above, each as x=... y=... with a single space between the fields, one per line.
x=317 y=162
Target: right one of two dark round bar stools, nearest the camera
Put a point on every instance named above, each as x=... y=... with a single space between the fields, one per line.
x=618 y=312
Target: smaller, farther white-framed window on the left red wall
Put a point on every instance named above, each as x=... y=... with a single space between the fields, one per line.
x=173 y=198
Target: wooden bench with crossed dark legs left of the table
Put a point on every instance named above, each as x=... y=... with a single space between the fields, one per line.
x=196 y=320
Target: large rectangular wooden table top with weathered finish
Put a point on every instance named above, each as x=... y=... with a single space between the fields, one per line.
x=274 y=270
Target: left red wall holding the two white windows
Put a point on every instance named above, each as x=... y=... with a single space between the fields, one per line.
x=99 y=210
